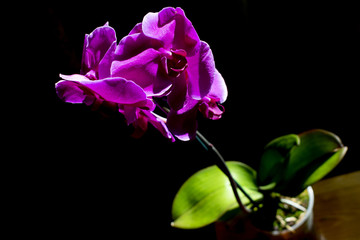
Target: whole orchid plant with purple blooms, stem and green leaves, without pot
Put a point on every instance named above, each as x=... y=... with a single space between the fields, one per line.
x=163 y=65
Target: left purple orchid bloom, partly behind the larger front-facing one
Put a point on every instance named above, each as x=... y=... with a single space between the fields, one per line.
x=94 y=86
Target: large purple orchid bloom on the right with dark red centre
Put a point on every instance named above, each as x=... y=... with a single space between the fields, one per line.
x=165 y=56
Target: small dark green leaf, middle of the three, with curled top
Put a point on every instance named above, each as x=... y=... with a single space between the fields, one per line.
x=274 y=160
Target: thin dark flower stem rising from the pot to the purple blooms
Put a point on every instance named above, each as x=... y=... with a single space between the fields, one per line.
x=222 y=166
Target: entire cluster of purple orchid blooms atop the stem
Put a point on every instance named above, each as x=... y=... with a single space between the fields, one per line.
x=161 y=57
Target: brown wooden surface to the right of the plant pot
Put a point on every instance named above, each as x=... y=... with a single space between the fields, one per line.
x=337 y=207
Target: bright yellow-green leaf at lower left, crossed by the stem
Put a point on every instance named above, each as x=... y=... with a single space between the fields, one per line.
x=207 y=195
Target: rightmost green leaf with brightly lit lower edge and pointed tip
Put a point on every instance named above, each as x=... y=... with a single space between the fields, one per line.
x=318 y=153
